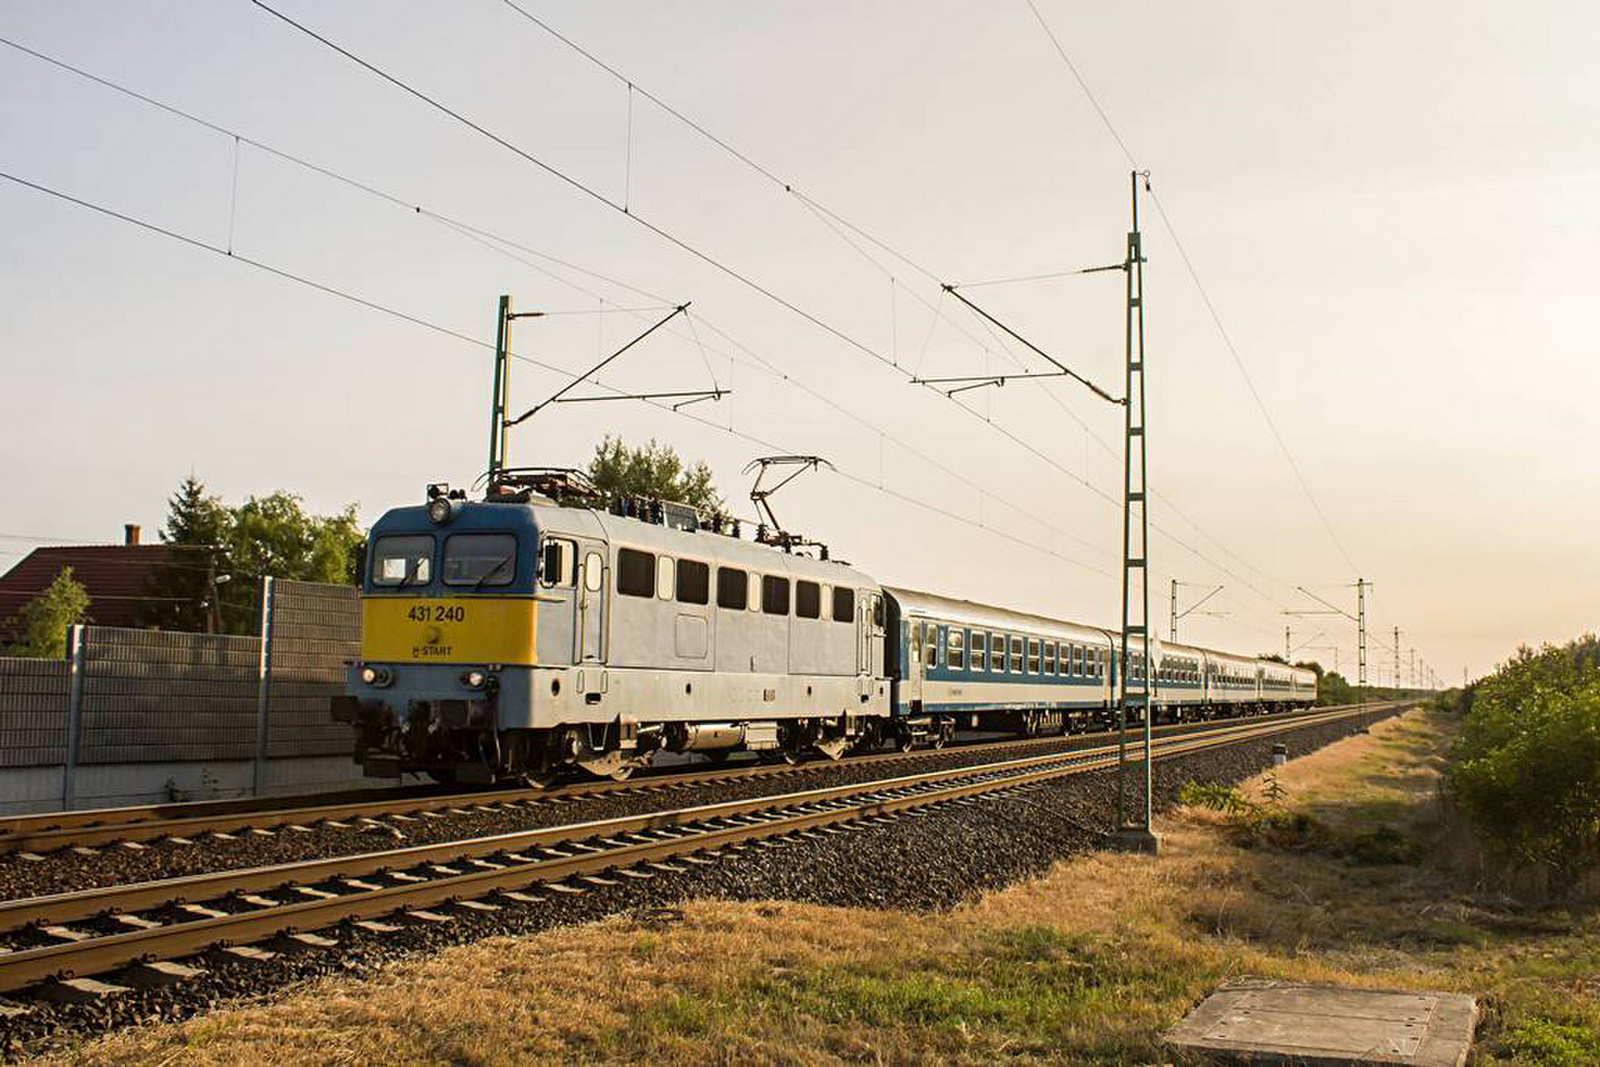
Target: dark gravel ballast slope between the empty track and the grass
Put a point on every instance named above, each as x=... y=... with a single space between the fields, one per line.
x=921 y=861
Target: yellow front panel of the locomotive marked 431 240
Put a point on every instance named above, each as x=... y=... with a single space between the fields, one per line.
x=455 y=631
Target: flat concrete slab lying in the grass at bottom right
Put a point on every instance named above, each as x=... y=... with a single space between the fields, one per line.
x=1257 y=1021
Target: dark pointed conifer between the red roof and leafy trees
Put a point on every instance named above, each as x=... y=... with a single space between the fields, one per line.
x=199 y=527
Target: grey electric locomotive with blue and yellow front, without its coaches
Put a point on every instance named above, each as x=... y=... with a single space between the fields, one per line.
x=543 y=628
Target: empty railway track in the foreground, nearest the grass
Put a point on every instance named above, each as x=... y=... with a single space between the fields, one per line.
x=65 y=938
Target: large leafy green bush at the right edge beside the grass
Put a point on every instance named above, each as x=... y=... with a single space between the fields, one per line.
x=1527 y=767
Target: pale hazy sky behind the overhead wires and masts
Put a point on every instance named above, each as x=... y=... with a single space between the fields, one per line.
x=1393 y=207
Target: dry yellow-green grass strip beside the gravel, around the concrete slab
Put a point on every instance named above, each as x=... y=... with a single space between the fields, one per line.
x=1089 y=964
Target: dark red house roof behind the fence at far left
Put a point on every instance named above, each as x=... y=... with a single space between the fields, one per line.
x=118 y=578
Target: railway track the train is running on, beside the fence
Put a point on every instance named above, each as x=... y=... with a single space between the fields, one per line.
x=194 y=821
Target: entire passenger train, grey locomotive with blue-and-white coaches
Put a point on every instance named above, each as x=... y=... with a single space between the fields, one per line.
x=543 y=629
